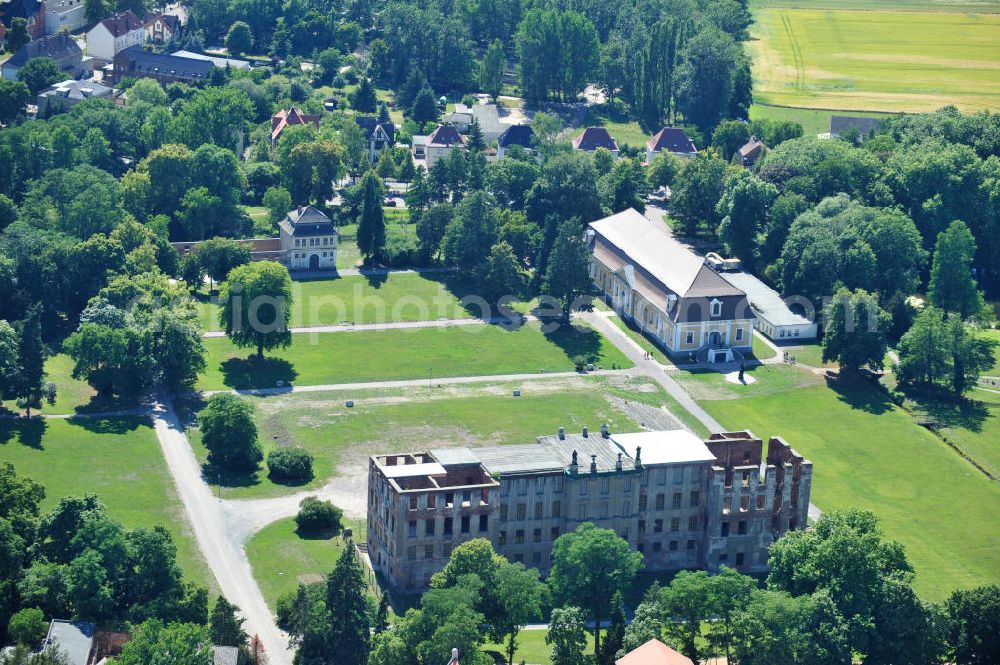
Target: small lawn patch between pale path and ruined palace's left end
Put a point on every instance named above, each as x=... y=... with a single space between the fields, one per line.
x=281 y=559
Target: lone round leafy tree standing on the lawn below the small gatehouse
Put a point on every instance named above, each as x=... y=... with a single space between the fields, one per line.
x=256 y=306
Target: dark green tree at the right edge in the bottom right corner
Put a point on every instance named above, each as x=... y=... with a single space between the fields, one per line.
x=974 y=625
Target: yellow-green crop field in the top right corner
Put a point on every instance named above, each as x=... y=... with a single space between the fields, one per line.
x=876 y=56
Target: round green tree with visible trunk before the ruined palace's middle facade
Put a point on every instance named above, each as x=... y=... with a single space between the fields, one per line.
x=589 y=566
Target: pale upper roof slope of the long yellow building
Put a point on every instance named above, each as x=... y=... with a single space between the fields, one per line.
x=651 y=246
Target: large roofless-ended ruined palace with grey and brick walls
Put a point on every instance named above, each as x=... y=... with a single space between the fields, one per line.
x=680 y=501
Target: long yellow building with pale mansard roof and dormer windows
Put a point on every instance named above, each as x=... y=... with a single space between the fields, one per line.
x=667 y=291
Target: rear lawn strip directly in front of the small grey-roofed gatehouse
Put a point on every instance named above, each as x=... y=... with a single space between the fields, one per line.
x=357 y=299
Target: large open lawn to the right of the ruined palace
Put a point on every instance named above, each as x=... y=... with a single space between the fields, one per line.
x=869 y=454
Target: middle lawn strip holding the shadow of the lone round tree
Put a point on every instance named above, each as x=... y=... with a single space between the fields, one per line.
x=406 y=354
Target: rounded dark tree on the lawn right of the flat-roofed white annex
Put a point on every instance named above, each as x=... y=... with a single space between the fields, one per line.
x=855 y=331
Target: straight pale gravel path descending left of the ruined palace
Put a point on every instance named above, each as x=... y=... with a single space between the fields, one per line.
x=221 y=547
